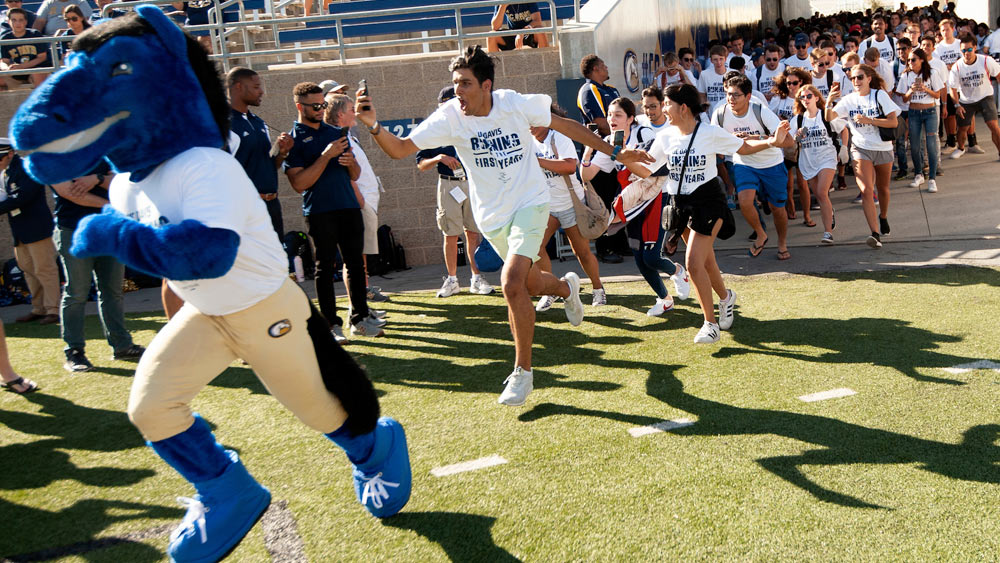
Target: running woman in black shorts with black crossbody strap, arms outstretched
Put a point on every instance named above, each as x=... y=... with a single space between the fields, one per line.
x=688 y=150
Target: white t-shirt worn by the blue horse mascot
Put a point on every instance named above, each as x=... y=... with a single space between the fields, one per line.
x=209 y=186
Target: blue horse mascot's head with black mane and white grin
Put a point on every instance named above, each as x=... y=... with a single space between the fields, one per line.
x=135 y=91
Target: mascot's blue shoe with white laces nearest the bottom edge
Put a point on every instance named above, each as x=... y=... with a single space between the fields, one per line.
x=218 y=517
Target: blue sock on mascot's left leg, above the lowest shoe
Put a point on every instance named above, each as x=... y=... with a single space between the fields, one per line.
x=194 y=453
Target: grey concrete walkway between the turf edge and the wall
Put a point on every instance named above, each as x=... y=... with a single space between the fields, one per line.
x=959 y=225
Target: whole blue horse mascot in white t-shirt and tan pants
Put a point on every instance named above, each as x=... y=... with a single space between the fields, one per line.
x=140 y=93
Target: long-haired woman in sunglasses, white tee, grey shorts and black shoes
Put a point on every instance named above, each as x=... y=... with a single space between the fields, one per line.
x=867 y=109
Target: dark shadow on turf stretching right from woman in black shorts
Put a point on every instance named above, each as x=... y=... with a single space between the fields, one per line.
x=889 y=343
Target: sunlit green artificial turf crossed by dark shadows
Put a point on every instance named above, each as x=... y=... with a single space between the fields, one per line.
x=906 y=469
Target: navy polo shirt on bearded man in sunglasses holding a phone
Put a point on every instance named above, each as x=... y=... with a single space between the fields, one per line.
x=332 y=191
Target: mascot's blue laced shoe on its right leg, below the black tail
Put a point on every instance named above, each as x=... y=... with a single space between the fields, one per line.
x=383 y=482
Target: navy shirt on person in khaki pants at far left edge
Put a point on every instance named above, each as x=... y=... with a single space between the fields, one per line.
x=30 y=218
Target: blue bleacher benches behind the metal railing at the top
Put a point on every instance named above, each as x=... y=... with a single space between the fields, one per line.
x=432 y=20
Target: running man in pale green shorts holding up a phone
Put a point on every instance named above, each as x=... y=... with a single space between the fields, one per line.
x=490 y=131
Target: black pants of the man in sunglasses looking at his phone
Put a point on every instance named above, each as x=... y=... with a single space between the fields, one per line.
x=343 y=229
